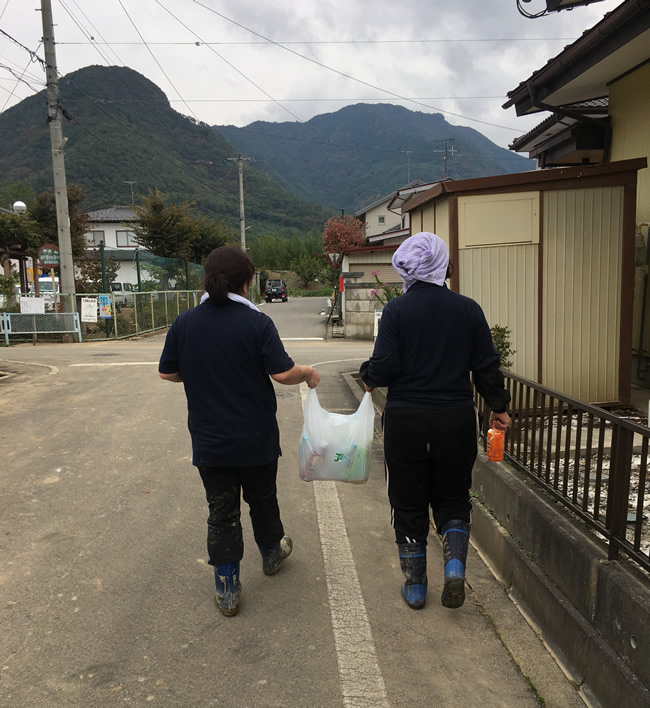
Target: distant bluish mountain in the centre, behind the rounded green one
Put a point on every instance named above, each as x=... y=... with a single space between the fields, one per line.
x=350 y=158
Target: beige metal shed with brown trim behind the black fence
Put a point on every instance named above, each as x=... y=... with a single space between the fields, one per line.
x=549 y=254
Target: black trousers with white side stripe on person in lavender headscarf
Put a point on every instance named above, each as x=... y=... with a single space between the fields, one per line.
x=429 y=456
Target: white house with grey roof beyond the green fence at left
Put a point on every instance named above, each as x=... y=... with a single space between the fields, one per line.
x=112 y=227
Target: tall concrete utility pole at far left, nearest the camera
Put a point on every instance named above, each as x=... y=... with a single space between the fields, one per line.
x=58 y=142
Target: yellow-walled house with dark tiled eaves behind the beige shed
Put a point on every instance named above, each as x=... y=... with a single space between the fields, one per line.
x=598 y=93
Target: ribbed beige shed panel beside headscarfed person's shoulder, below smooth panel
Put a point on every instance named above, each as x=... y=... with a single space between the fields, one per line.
x=503 y=280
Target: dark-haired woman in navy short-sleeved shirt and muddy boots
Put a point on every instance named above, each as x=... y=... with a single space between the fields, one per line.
x=224 y=352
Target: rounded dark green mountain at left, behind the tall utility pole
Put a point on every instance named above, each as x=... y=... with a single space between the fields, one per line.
x=121 y=128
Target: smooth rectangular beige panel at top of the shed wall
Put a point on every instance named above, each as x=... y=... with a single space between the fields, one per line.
x=498 y=219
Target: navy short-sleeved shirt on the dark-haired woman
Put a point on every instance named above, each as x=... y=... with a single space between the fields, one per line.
x=225 y=354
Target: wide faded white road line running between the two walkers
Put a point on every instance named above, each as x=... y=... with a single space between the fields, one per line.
x=362 y=684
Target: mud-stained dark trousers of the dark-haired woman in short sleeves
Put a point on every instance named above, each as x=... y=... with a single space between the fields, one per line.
x=223 y=488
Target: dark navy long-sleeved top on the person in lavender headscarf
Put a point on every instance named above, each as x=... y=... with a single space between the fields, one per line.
x=429 y=341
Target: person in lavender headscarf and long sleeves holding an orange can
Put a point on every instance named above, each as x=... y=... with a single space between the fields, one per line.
x=429 y=341
